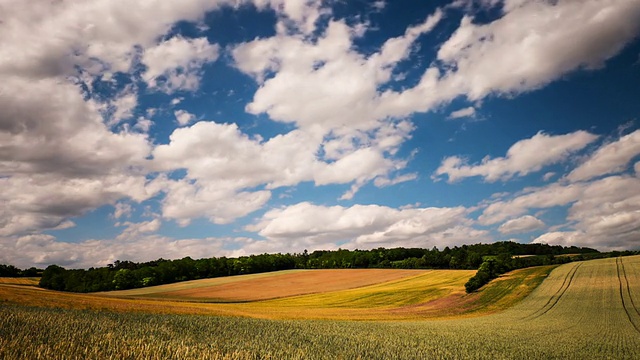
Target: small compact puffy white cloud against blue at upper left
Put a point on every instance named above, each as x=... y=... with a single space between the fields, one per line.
x=175 y=64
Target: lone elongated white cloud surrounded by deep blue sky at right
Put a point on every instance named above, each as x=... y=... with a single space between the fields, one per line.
x=524 y=157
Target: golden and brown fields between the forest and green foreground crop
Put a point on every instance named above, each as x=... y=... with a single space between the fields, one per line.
x=371 y=294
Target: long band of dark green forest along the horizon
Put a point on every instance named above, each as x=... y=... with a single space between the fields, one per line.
x=495 y=258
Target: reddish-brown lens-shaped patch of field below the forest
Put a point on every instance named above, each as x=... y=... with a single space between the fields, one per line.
x=290 y=284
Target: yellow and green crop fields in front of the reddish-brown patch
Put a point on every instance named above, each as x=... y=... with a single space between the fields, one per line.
x=581 y=310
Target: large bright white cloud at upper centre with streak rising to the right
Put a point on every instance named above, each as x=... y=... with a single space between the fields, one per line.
x=323 y=85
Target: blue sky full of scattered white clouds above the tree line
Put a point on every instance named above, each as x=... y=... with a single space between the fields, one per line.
x=138 y=130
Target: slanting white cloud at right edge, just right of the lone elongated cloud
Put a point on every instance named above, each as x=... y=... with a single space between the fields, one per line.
x=608 y=159
